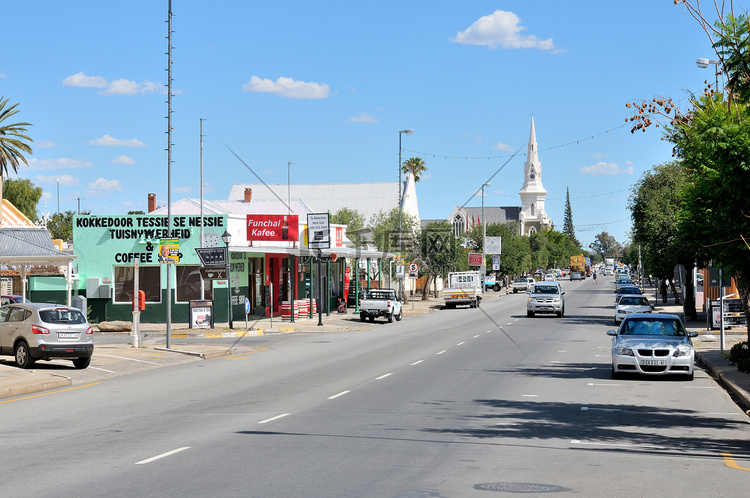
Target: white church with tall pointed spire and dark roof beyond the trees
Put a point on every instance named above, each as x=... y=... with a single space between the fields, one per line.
x=531 y=215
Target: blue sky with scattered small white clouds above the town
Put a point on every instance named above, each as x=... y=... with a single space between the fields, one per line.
x=328 y=85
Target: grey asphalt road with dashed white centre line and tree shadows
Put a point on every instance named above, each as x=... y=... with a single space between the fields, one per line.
x=441 y=405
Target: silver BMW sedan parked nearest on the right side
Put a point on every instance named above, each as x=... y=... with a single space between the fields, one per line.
x=652 y=344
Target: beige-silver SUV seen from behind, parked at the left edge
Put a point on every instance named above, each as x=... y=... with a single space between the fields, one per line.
x=33 y=331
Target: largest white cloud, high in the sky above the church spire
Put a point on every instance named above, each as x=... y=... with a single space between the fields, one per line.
x=501 y=28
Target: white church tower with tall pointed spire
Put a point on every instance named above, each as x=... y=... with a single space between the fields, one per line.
x=533 y=217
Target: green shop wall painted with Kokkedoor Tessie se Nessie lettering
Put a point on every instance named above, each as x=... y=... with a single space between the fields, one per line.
x=103 y=242
